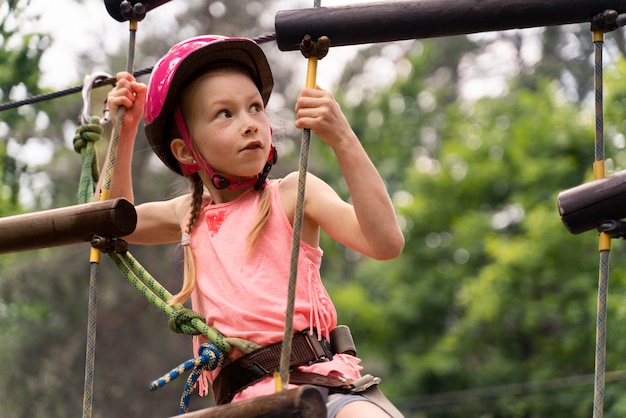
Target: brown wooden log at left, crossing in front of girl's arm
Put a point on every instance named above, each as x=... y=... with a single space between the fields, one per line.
x=69 y=225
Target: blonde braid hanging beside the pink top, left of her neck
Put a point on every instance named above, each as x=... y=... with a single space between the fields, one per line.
x=189 y=275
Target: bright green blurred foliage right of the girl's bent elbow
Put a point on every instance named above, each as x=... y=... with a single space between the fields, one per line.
x=491 y=290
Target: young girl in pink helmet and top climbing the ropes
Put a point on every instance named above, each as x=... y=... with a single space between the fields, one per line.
x=204 y=111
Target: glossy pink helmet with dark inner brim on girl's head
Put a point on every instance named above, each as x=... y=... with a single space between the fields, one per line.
x=183 y=63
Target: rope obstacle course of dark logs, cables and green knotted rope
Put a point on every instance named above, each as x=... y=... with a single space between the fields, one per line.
x=102 y=221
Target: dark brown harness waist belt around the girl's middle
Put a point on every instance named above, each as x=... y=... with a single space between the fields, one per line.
x=263 y=362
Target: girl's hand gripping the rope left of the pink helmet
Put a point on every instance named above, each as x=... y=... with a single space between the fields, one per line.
x=130 y=94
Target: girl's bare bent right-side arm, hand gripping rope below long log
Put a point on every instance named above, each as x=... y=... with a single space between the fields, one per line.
x=369 y=225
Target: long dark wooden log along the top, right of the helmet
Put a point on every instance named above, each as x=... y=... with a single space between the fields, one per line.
x=417 y=19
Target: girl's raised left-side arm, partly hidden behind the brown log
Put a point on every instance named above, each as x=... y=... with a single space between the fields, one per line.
x=156 y=221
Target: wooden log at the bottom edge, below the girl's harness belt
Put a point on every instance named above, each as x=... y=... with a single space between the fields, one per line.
x=302 y=402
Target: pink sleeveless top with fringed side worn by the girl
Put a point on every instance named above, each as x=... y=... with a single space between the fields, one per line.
x=243 y=293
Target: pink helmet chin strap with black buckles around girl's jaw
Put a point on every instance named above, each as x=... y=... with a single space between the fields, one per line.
x=221 y=182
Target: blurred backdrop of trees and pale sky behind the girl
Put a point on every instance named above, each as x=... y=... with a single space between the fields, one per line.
x=489 y=312
